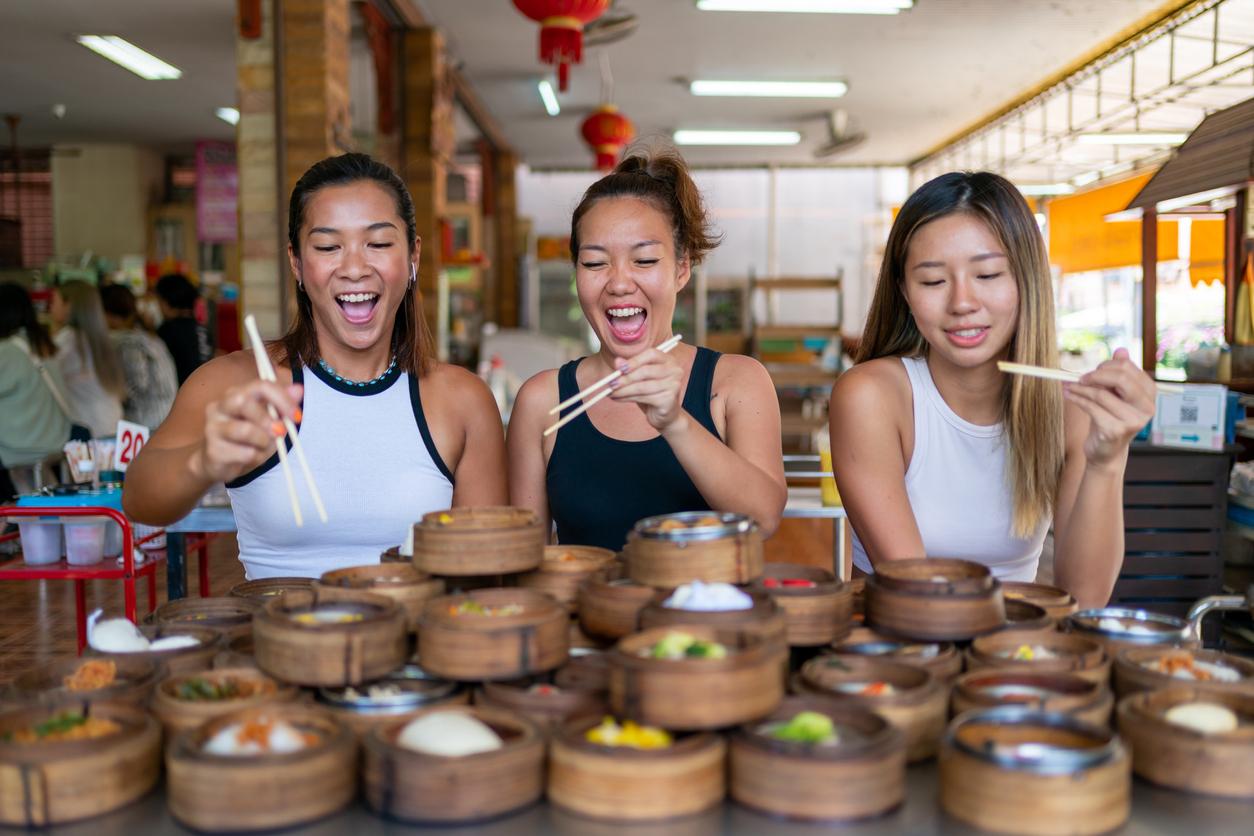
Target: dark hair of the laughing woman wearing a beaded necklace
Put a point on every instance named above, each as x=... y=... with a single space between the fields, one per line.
x=412 y=344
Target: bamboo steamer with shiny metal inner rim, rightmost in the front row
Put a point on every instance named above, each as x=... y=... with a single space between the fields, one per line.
x=1079 y=785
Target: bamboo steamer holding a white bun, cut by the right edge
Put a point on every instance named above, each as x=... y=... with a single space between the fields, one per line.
x=1182 y=759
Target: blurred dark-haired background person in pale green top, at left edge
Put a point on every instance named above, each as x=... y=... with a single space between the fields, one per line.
x=34 y=402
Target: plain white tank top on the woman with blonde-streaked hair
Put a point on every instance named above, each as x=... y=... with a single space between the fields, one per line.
x=957 y=488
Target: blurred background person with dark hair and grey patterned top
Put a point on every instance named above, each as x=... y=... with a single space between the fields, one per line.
x=152 y=382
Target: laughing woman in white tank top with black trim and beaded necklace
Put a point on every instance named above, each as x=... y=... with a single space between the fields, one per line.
x=391 y=434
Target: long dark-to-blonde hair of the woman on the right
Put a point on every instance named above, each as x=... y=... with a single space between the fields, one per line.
x=1031 y=409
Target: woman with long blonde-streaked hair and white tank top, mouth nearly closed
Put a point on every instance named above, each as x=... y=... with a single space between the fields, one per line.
x=940 y=454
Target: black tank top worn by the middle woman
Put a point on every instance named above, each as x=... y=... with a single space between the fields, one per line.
x=599 y=488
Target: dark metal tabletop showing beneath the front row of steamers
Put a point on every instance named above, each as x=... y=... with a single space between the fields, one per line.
x=1156 y=813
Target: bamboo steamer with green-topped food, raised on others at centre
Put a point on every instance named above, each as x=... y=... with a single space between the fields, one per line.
x=697 y=695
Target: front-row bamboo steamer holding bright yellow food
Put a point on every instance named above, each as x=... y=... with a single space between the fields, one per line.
x=623 y=784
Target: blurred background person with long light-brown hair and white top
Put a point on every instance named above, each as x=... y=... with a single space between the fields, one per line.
x=93 y=372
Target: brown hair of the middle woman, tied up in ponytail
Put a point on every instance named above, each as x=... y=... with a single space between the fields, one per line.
x=660 y=177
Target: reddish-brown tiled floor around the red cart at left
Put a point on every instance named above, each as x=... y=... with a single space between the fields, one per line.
x=37 y=617
